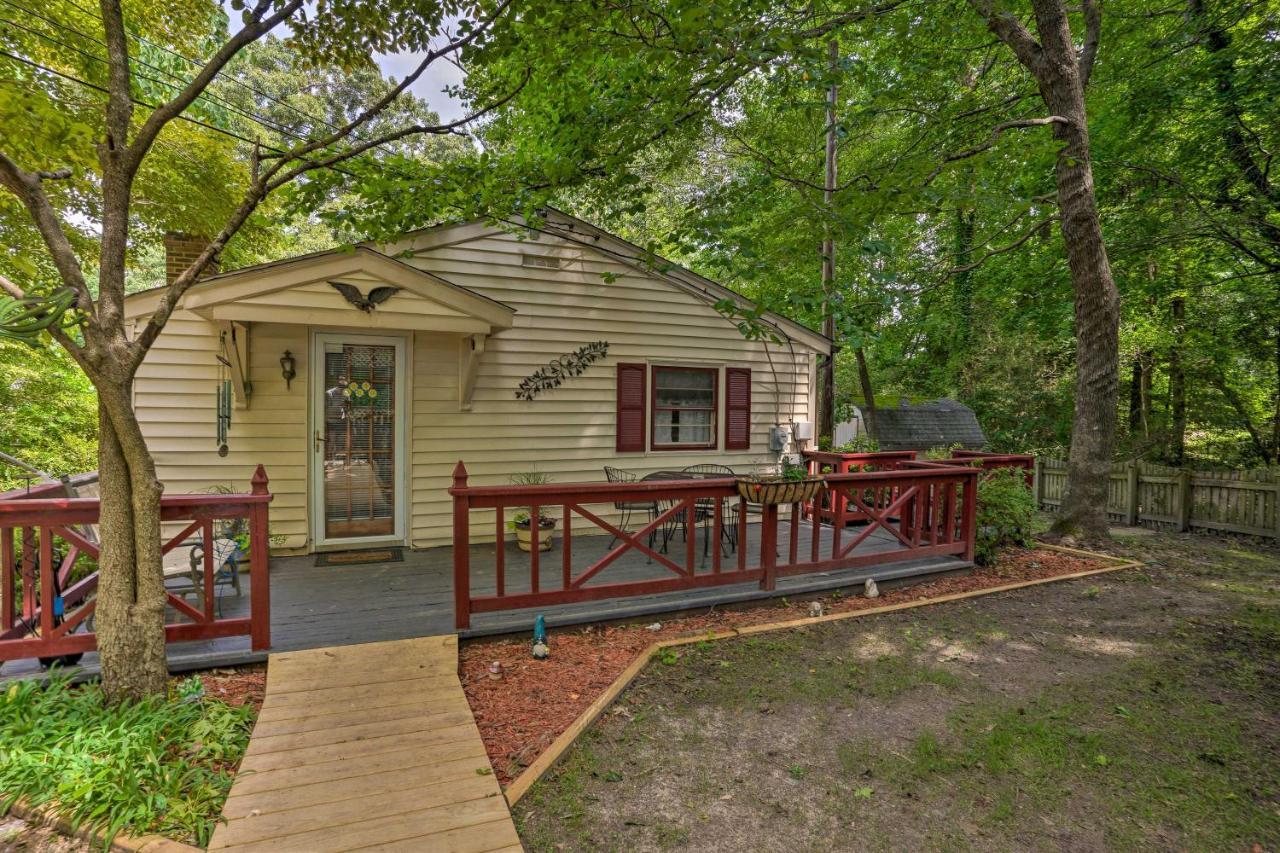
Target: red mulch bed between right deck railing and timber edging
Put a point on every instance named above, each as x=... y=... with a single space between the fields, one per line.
x=536 y=701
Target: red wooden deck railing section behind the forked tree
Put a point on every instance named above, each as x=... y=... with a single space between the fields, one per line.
x=40 y=626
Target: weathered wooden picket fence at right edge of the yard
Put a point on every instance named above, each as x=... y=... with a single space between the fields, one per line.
x=1173 y=499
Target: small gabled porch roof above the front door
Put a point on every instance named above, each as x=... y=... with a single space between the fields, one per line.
x=255 y=285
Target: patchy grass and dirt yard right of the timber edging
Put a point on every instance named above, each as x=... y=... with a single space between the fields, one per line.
x=1139 y=710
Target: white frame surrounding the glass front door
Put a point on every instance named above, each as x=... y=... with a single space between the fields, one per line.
x=317 y=450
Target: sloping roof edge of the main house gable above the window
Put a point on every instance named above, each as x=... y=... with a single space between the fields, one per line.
x=579 y=231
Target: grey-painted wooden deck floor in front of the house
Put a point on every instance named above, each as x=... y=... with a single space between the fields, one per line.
x=322 y=606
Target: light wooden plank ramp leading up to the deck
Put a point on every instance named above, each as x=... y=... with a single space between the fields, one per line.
x=367 y=747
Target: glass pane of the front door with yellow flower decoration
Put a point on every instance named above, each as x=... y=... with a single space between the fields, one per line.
x=359 y=435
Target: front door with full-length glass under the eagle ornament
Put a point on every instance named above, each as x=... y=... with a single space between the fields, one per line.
x=359 y=440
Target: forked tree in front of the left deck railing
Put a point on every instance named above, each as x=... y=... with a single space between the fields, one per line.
x=108 y=161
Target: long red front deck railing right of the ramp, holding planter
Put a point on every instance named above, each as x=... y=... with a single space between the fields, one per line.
x=925 y=513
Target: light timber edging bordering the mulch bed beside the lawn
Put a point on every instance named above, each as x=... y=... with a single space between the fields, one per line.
x=555 y=752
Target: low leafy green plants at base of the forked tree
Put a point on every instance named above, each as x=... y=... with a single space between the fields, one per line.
x=163 y=765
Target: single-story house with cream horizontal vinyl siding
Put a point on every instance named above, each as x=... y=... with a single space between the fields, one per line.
x=481 y=309
